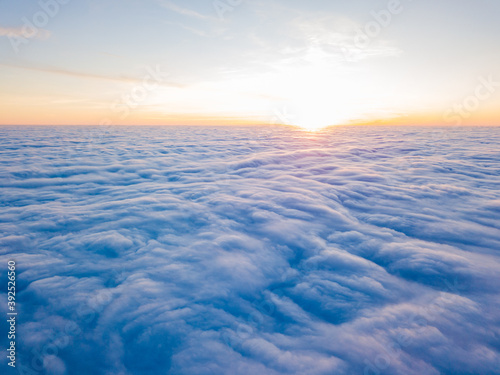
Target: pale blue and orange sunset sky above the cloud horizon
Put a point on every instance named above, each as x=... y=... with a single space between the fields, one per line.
x=205 y=62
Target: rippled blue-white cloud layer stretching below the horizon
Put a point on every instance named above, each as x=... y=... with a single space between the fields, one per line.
x=180 y=250
